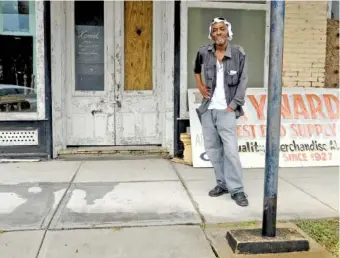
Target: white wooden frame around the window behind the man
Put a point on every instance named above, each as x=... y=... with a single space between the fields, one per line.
x=184 y=73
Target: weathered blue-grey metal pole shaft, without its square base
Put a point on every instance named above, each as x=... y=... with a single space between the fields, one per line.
x=273 y=118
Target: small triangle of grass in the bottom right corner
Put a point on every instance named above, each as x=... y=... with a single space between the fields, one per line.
x=324 y=231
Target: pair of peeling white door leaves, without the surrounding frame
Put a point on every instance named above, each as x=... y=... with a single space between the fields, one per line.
x=111 y=95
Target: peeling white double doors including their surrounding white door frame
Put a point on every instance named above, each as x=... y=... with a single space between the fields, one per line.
x=112 y=74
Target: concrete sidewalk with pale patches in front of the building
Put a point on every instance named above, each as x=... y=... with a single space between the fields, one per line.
x=164 y=202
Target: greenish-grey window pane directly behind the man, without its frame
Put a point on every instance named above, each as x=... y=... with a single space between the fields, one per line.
x=248 y=28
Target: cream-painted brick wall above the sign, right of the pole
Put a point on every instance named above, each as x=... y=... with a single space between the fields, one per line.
x=304 y=50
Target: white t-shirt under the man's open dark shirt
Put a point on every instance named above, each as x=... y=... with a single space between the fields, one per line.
x=218 y=100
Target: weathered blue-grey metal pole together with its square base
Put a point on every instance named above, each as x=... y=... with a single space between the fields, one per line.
x=255 y=240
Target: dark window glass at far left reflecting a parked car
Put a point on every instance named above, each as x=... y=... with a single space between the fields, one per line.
x=17 y=57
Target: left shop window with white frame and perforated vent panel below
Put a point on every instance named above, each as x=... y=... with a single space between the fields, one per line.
x=24 y=80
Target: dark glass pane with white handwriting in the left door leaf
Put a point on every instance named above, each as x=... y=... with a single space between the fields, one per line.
x=89 y=45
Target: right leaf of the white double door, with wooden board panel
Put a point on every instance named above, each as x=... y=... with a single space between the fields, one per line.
x=137 y=90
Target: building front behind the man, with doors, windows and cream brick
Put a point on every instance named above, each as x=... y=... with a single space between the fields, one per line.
x=115 y=74
